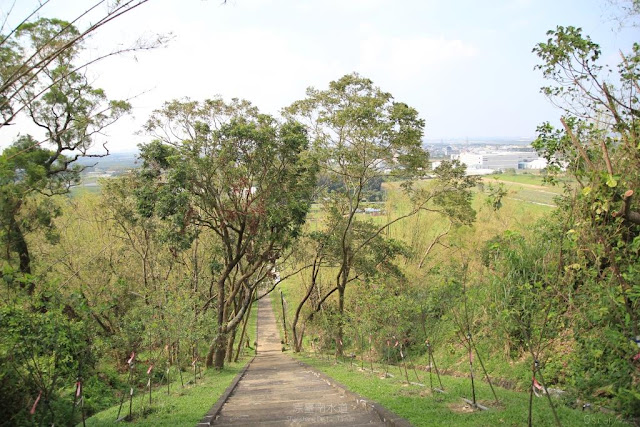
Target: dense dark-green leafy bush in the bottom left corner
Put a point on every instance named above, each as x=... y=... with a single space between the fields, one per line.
x=42 y=352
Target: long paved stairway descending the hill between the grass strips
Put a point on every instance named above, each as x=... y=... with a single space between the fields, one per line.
x=277 y=390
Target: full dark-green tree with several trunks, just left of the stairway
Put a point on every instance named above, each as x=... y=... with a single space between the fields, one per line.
x=239 y=173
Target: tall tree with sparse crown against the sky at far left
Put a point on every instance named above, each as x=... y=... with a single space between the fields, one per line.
x=71 y=112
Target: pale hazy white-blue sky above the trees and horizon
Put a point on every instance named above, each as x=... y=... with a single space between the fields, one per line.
x=465 y=65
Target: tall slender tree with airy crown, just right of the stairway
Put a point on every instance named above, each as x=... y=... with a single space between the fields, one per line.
x=361 y=134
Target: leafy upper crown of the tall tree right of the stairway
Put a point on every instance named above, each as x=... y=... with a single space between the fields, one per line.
x=359 y=131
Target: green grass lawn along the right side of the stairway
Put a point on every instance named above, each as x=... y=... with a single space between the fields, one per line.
x=421 y=408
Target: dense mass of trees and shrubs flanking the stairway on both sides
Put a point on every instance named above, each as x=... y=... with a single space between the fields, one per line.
x=378 y=256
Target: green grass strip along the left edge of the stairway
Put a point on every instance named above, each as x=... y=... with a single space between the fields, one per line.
x=182 y=406
